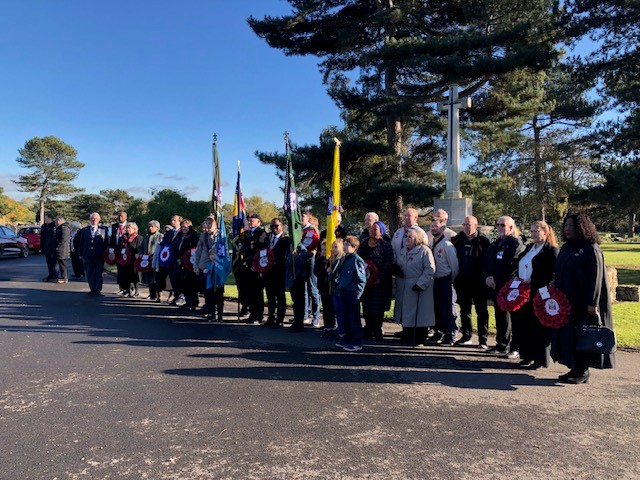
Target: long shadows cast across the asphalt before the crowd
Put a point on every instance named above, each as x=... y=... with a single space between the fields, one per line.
x=62 y=309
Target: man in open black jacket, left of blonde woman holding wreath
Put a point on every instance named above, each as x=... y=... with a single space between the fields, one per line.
x=501 y=265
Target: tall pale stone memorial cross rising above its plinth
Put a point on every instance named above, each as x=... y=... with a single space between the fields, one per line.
x=453 y=104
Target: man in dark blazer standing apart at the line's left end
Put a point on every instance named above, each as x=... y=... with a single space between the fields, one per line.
x=91 y=246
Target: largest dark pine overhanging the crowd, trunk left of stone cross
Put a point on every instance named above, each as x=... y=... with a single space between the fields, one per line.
x=403 y=55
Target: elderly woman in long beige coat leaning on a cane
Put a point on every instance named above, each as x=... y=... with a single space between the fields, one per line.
x=414 y=290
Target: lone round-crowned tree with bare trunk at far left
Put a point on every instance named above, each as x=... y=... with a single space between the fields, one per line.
x=53 y=167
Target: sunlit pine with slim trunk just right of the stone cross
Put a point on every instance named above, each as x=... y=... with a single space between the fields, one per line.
x=534 y=128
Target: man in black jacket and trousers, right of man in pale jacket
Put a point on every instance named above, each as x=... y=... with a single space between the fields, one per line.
x=471 y=247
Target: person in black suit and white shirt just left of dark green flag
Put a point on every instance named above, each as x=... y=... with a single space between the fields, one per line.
x=274 y=279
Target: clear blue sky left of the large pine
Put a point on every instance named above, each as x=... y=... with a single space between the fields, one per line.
x=139 y=87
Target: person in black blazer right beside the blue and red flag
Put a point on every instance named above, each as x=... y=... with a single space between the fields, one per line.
x=255 y=239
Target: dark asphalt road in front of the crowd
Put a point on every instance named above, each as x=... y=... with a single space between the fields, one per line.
x=115 y=388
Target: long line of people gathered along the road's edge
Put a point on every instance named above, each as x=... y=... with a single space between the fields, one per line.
x=436 y=277
